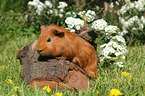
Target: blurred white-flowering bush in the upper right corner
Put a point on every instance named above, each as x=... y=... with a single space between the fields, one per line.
x=131 y=16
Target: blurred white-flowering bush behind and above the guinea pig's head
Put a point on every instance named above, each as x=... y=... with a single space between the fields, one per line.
x=46 y=13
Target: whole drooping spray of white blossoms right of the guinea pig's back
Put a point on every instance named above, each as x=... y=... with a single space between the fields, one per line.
x=114 y=50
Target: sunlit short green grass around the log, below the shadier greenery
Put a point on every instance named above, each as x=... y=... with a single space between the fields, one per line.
x=135 y=65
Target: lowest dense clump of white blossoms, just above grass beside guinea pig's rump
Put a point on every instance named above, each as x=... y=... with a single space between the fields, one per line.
x=114 y=50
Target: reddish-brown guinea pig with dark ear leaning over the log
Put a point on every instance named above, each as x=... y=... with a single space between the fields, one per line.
x=55 y=41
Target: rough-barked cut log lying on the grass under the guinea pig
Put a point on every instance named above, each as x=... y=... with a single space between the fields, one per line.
x=56 y=73
